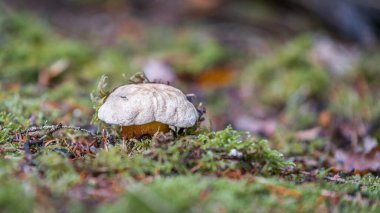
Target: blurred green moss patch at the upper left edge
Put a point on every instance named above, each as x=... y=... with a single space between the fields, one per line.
x=28 y=46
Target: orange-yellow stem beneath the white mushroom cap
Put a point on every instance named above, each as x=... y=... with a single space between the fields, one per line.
x=137 y=131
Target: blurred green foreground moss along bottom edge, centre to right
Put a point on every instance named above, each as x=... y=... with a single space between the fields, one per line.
x=195 y=193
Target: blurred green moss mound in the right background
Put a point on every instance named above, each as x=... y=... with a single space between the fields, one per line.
x=286 y=72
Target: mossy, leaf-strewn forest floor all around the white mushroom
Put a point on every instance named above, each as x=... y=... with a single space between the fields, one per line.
x=292 y=121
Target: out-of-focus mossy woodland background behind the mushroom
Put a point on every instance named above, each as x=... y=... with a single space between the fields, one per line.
x=303 y=73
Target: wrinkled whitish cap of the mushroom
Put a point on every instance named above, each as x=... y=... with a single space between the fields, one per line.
x=137 y=104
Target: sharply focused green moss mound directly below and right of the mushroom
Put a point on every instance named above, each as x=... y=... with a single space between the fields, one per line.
x=206 y=153
